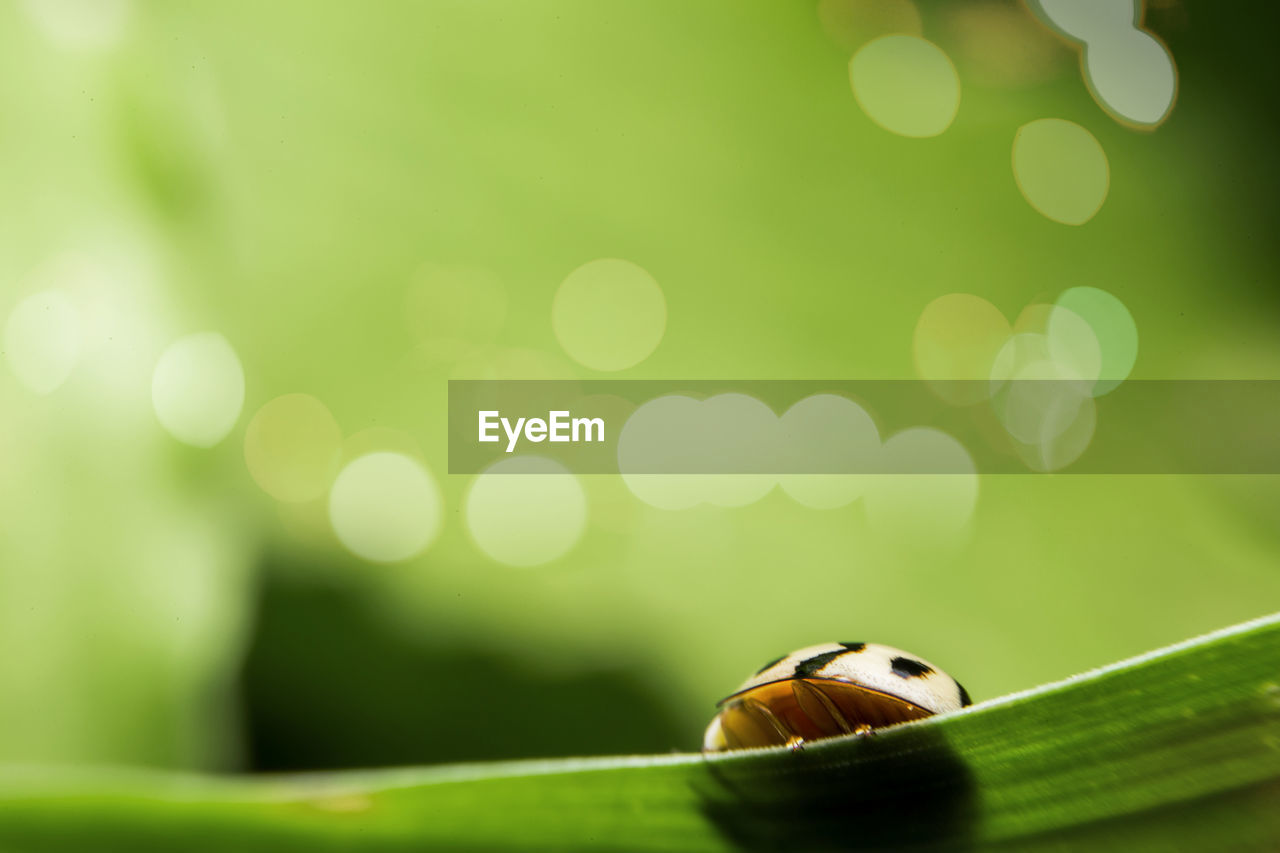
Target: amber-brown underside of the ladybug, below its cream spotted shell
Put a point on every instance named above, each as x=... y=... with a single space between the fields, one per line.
x=799 y=710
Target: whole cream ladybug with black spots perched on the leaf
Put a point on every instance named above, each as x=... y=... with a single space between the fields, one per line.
x=829 y=691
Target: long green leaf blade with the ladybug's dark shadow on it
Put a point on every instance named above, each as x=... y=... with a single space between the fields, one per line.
x=1174 y=750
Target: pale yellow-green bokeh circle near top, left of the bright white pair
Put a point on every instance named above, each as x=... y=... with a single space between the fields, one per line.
x=907 y=85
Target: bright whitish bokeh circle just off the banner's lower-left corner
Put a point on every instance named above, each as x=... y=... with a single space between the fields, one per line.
x=385 y=508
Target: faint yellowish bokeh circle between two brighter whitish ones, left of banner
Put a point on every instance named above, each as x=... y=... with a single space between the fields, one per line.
x=292 y=448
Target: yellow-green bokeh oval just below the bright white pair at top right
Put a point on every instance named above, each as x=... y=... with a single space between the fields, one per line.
x=1060 y=170
